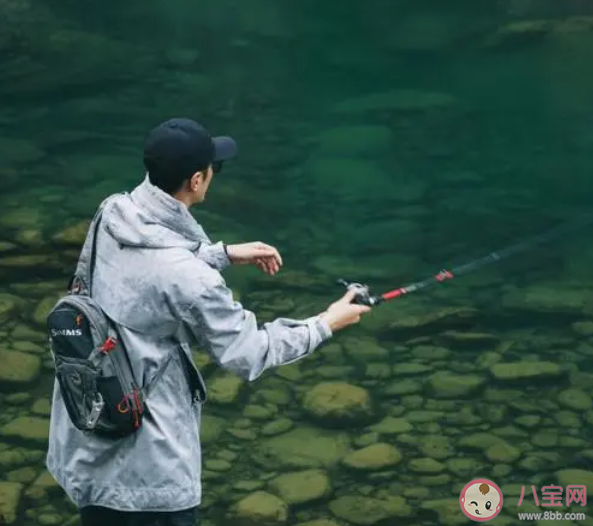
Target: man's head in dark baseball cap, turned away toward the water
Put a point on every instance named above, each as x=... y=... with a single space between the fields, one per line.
x=180 y=157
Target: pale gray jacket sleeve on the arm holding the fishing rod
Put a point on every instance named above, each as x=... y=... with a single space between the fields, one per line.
x=231 y=335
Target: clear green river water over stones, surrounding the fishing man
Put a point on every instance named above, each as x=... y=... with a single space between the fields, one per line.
x=379 y=141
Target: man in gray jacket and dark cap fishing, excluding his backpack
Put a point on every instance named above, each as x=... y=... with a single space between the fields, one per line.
x=158 y=276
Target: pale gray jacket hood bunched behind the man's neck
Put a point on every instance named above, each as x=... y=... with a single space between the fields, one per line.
x=150 y=218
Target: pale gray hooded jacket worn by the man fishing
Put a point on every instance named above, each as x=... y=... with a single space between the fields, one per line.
x=157 y=275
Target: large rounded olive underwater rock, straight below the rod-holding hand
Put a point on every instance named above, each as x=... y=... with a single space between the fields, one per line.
x=339 y=403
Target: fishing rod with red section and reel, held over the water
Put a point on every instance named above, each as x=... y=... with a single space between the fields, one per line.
x=364 y=297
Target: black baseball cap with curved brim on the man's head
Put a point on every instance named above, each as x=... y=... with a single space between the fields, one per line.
x=184 y=147
